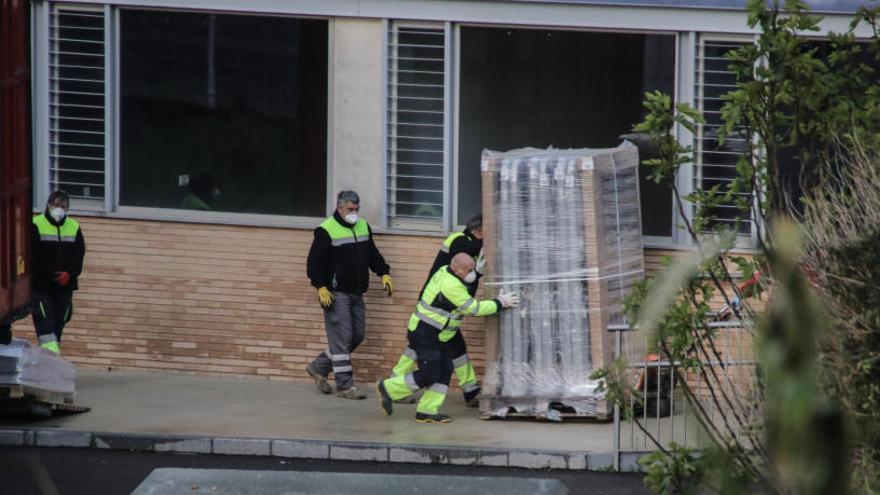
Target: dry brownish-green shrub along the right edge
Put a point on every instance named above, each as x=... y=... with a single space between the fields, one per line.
x=843 y=260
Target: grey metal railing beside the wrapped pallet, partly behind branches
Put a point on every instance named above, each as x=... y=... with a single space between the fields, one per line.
x=721 y=387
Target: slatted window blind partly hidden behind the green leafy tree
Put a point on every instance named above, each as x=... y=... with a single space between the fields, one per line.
x=715 y=163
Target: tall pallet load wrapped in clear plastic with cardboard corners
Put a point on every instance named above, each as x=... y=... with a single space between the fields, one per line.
x=563 y=229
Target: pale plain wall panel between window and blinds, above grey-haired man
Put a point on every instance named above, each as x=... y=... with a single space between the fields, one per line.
x=356 y=111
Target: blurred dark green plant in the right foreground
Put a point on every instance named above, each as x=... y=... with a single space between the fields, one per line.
x=806 y=435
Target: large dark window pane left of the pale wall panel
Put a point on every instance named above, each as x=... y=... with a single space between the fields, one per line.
x=223 y=112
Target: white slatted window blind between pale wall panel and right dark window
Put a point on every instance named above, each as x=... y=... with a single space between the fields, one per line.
x=416 y=127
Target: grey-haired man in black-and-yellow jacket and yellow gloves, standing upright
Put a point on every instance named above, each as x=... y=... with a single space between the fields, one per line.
x=341 y=254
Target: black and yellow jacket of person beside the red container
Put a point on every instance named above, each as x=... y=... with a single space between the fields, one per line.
x=56 y=247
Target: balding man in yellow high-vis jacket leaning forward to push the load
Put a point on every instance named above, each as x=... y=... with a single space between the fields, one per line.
x=444 y=303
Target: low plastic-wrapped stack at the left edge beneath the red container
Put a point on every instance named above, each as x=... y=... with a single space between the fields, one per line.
x=36 y=368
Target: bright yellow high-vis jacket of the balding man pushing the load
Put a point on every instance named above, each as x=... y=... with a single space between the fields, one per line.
x=445 y=302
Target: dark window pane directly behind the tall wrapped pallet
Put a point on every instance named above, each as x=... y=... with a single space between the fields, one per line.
x=523 y=87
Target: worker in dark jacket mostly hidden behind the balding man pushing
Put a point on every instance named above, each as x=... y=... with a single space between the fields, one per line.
x=470 y=242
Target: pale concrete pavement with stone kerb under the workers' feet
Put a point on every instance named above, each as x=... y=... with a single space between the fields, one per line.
x=182 y=413
